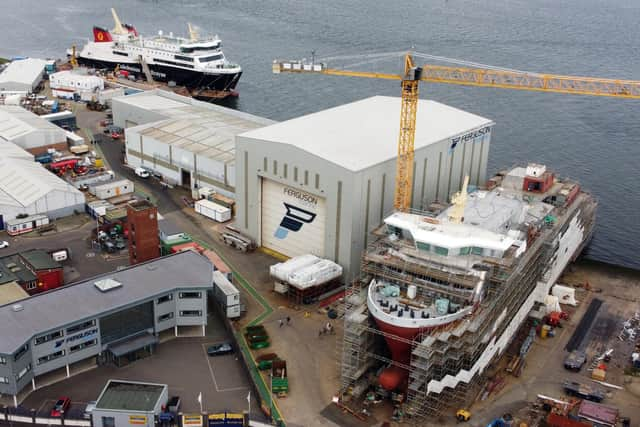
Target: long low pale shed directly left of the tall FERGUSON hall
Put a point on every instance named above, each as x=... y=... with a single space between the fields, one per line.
x=190 y=143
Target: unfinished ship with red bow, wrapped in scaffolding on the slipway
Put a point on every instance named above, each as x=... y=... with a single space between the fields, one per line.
x=444 y=291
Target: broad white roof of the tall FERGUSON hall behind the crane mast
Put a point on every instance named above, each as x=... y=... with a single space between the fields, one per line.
x=364 y=133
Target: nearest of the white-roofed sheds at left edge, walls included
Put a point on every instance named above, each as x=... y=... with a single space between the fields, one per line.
x=26 y=187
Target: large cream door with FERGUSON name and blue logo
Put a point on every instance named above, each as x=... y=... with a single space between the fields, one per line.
x=293 y=221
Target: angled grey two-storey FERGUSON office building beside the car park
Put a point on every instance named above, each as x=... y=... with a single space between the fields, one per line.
x=112 y=318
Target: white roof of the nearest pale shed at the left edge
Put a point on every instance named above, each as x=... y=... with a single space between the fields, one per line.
x=22 y=182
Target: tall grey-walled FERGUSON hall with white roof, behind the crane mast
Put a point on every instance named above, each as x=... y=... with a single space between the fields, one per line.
x=320 y=183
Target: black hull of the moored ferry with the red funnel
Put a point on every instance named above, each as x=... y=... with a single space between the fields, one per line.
x=187 y=78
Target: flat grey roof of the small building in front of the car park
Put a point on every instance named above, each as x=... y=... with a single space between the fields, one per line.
x=130 y=396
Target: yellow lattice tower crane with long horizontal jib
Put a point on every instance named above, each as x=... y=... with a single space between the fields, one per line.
x=473 y=75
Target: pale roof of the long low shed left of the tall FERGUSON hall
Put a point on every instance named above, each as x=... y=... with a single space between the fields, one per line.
x=205 y=129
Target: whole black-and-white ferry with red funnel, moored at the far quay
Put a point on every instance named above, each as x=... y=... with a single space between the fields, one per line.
x=195 y=62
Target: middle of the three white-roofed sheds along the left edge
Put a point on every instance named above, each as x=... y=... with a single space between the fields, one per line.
x=29 y=131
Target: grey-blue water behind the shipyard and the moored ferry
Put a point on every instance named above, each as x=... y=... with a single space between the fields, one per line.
x=594 y=140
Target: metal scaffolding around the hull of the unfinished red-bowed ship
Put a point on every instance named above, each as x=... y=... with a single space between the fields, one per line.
x=441 y=353
